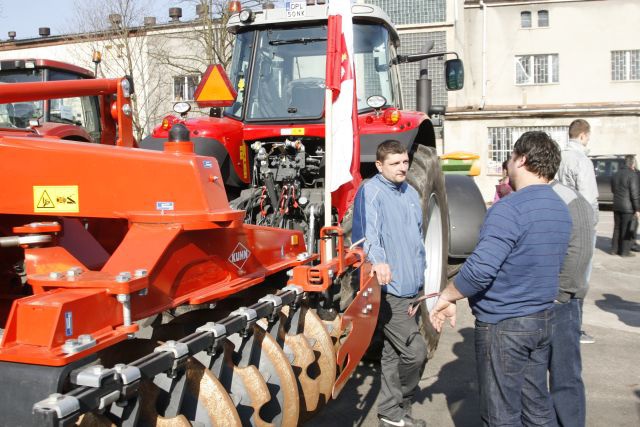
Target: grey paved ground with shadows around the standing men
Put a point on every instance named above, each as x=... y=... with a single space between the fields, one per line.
x=448 y=395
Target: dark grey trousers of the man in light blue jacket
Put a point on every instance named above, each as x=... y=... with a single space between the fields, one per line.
x=403 y=357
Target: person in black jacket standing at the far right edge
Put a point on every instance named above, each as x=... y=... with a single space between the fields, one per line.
x=626 y=207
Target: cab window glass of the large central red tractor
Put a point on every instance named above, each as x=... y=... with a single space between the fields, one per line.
x=279 y=74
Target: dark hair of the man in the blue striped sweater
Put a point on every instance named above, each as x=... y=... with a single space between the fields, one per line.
x=542 y=154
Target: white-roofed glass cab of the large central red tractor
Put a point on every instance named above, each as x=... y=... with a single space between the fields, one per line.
x=278 y=65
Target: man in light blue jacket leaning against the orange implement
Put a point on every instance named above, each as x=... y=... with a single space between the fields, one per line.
x=388 y=214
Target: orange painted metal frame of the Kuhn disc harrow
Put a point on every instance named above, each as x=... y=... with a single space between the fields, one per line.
x=180 y=244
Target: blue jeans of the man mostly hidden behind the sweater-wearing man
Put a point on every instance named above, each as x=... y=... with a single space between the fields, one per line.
x=565 y=365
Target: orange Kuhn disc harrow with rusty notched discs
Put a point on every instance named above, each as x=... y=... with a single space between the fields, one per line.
x=132 y=294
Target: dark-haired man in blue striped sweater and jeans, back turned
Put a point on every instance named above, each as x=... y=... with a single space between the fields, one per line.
x=511 y=280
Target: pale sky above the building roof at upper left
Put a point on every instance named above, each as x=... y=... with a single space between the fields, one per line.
x=26 y=16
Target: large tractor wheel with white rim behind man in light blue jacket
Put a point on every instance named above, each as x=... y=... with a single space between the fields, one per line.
x=425 y=175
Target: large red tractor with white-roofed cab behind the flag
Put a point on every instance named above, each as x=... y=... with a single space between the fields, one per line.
x=272 y=137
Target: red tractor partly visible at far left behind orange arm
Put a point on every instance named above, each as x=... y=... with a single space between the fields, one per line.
x=74 y=119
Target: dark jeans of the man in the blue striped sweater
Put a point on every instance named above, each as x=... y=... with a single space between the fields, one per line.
x=512 y=358
